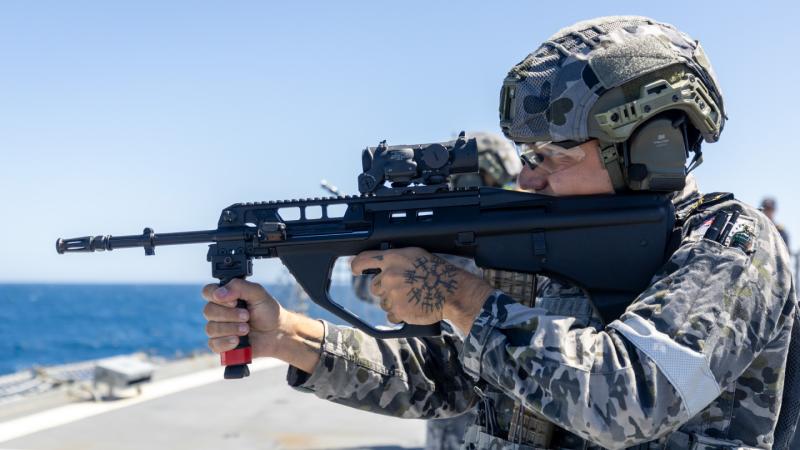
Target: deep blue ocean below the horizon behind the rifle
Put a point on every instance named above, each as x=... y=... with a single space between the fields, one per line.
x=51 y=324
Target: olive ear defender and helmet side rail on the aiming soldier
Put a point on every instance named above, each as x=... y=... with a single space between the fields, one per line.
x=646 y=141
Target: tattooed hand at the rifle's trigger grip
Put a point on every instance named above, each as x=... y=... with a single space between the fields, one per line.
x=417 y=287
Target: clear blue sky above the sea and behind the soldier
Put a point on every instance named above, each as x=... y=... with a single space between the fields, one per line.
x=115 y=116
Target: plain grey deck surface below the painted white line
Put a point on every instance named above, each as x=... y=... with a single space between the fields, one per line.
x=260 y=412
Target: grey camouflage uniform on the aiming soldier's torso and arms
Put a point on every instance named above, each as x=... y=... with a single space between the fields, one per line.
x=701 y=351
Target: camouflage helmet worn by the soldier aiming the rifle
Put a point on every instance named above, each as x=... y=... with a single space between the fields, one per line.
x=603 y=78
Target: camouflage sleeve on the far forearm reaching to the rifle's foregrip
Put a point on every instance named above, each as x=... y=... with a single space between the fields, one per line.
x=410 y=378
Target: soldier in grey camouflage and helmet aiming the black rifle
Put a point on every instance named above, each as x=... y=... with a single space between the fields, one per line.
x=698 y=360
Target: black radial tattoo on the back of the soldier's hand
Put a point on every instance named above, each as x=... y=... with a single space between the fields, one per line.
x=429 y=281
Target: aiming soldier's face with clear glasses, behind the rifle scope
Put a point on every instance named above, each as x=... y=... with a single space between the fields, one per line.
x=586 y=177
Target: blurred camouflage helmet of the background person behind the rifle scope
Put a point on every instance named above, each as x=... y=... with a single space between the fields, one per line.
x=497 y=159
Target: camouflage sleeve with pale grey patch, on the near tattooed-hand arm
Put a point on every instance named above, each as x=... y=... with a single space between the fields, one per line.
x=691 y=334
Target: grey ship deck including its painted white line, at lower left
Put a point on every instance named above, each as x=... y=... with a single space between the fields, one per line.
x=189 y=406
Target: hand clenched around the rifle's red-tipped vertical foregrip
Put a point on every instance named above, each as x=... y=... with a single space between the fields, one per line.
x=225 y=323
